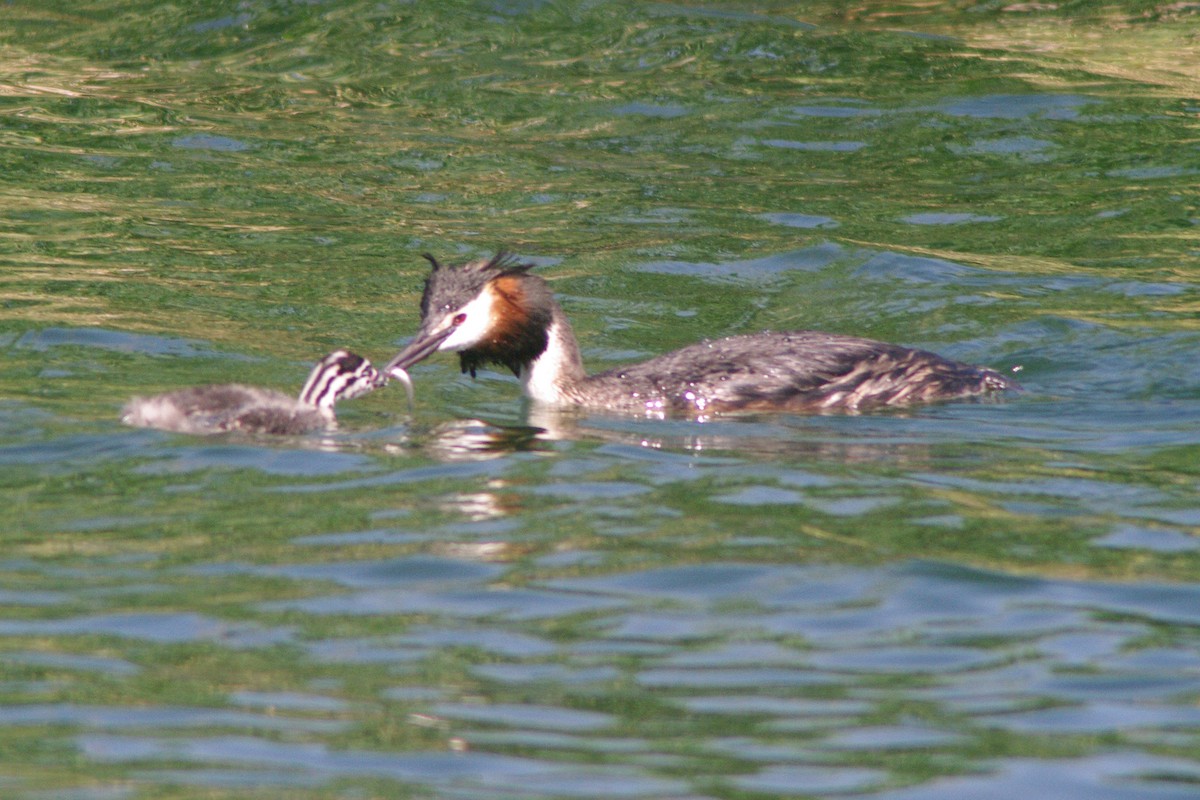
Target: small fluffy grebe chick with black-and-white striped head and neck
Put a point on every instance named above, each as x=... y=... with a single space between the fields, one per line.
x=232 y=407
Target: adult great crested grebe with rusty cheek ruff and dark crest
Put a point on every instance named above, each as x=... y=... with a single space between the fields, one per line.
x=494 y=311
